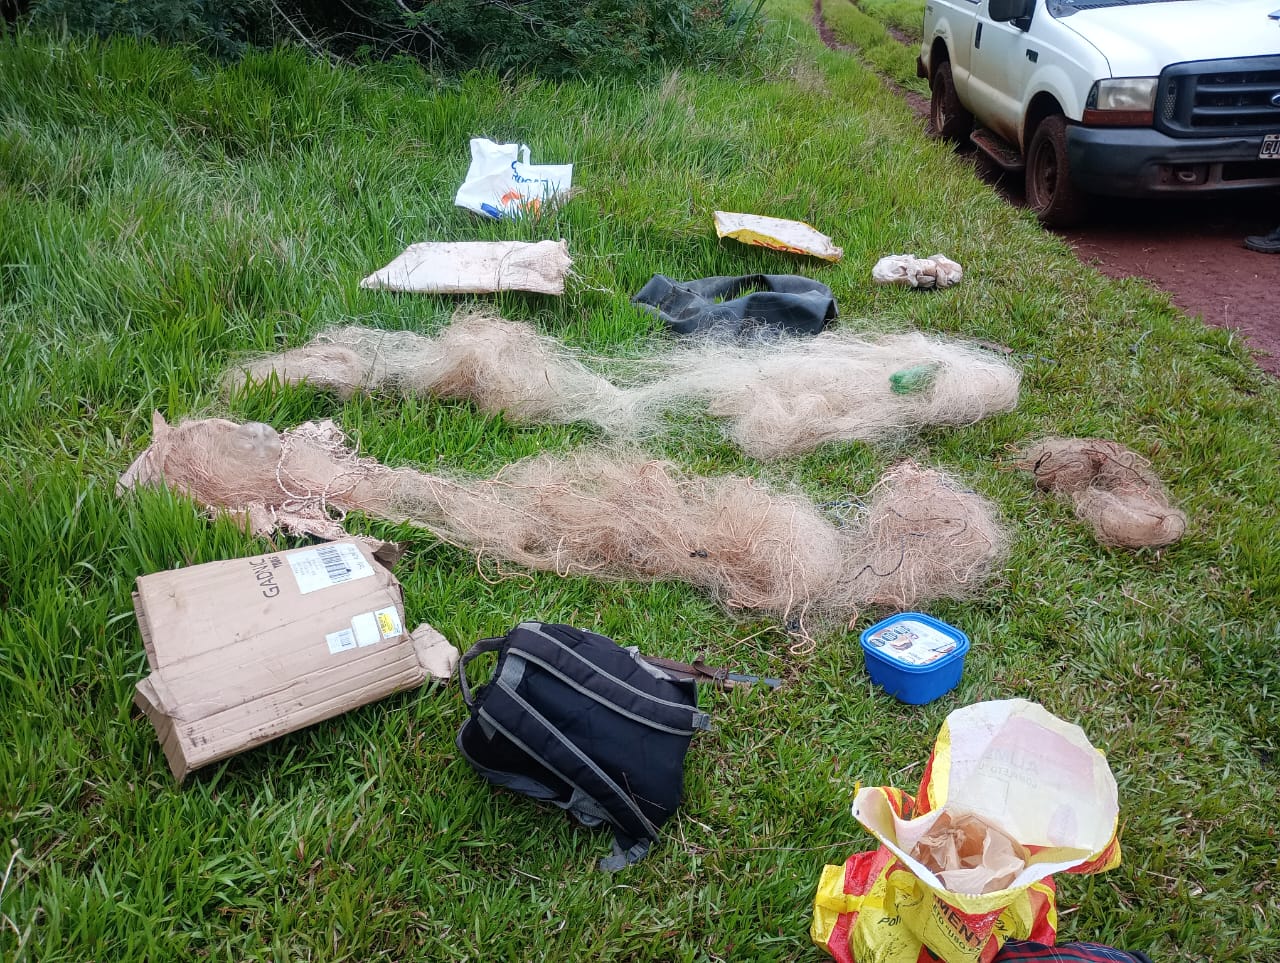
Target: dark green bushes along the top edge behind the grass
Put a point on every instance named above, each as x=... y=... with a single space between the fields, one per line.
x=554 y=38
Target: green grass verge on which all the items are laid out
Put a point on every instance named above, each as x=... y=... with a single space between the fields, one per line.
x=162 y=214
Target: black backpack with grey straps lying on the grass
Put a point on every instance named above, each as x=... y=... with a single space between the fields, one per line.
x=574 y=719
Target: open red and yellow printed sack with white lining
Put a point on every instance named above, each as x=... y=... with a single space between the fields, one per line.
x=1017 y=768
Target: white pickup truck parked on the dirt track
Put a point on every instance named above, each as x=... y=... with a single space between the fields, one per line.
x=1121 y=98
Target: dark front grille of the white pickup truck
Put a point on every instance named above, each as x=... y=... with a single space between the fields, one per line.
x=1223 y=98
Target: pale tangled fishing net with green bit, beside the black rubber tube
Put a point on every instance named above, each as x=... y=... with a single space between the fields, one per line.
x=778 y=398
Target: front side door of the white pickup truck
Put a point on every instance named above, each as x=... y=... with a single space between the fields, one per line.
x=1000 y=69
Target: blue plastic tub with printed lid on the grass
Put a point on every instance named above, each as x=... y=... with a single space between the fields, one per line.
x=913 y=658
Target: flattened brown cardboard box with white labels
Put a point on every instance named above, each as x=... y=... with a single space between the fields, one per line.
x=245 y=651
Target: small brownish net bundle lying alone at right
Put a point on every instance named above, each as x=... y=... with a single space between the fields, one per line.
x=1112 y=487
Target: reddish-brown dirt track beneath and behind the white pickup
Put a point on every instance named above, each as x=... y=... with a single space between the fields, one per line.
x=1190 y=249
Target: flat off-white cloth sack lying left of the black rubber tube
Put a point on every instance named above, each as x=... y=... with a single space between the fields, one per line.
x=477 y=268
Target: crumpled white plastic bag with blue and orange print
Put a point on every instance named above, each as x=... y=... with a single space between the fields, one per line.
x=502 y=184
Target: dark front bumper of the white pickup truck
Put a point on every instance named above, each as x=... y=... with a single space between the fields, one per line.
x=1128 y=162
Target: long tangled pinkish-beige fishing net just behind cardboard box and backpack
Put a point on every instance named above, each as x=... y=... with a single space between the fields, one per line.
x=606 y=515
